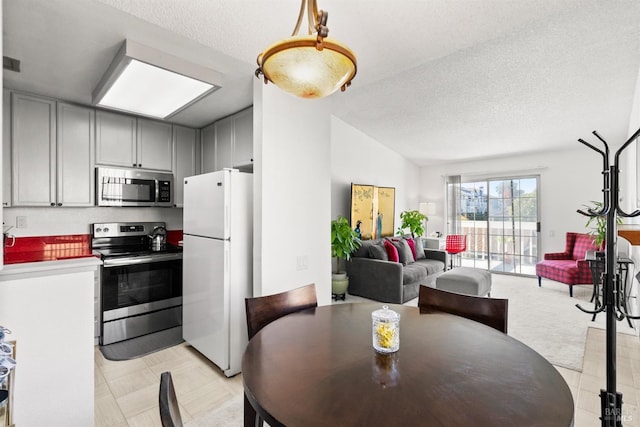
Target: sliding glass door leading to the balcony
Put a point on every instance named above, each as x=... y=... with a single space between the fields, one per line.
x=500 y=220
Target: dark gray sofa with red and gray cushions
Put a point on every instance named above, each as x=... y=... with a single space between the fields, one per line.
x=372 y=275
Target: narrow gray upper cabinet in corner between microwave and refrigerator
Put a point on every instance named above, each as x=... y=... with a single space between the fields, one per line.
x=186 y=159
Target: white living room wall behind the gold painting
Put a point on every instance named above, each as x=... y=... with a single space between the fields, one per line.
x=359 y=159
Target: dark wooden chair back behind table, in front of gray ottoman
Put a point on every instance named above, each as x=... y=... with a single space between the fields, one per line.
x=490 y=311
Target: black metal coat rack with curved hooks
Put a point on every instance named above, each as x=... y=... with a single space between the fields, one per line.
x=613 y=298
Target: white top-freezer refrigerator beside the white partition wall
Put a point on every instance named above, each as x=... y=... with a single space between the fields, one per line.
x=217 y=265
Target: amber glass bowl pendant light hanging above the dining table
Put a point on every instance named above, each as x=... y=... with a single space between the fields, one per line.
x=308 y=66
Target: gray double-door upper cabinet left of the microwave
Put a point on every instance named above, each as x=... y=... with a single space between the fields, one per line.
x=51 y=152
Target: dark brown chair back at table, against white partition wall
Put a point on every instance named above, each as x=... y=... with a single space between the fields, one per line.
x=263 y=310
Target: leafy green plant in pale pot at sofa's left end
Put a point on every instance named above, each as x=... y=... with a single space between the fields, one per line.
x=344 y=241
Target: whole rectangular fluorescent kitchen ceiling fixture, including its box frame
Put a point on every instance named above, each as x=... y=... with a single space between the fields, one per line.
x=145 y=81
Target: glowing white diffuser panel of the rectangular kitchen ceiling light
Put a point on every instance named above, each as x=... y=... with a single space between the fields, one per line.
x=152 y=91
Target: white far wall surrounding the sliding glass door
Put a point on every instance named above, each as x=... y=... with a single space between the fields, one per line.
x=568 y=179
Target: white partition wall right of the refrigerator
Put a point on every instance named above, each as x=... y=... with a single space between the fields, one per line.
x=292 y=181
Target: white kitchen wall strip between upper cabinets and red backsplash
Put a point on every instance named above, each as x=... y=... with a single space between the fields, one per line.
x=58 y=221
